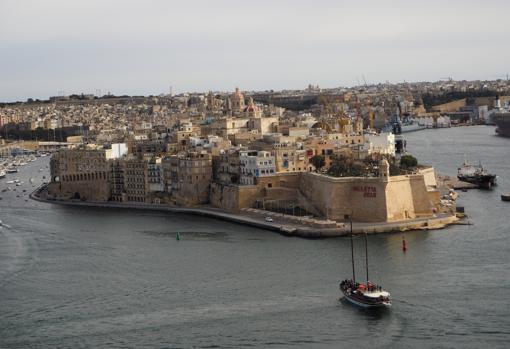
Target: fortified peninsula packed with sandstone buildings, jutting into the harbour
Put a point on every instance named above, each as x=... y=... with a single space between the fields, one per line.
x=255 y=164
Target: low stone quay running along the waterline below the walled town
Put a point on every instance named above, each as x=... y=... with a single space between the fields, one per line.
x=283 y=224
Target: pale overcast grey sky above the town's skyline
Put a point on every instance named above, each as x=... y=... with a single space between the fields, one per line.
x=140 y=47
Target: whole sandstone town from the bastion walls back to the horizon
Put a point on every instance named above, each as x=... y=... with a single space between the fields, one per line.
x=328 y=154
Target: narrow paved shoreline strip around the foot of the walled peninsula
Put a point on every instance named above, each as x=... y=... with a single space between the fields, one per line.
x=429 y=223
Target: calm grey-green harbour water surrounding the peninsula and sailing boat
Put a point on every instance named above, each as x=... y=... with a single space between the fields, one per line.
x=74 y=277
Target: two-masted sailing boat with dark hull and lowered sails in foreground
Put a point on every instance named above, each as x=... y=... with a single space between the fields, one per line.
x=367 y=295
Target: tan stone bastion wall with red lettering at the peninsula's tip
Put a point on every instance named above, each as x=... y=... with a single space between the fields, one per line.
x=368 y=199
